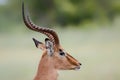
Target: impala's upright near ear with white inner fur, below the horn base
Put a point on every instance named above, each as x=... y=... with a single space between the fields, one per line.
x=49 y=47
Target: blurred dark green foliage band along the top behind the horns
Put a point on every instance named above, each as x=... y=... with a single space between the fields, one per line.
x=61 y=12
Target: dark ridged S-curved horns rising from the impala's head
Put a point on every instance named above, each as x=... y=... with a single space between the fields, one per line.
x=48 y=32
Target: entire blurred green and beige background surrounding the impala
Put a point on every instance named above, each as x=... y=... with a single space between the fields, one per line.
x=88 y=29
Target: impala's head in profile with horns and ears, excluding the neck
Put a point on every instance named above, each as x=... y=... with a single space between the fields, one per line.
x=52 y=48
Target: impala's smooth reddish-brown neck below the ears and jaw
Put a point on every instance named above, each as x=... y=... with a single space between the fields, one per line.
x=46 y=71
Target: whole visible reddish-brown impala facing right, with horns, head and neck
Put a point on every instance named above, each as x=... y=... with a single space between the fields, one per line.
x=54 y=56
